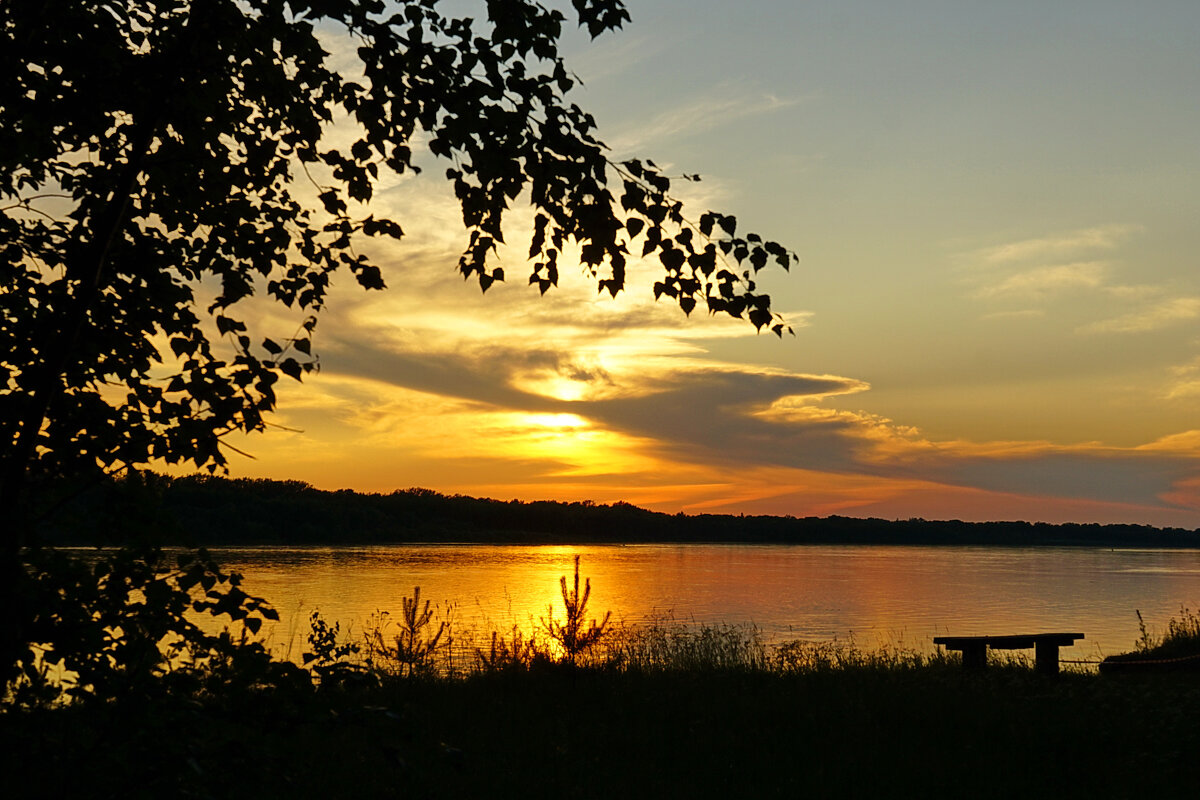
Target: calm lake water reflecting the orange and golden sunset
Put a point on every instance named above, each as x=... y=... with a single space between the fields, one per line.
x=818 y=593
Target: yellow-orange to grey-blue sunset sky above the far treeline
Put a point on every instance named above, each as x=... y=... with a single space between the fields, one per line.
x=997 y=312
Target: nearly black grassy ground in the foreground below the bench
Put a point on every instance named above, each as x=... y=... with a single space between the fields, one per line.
x=560 y=733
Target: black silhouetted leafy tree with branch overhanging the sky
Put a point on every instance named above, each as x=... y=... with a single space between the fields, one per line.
x=163 y=161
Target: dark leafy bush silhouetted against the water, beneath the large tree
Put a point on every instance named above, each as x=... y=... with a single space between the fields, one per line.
x=128 y=623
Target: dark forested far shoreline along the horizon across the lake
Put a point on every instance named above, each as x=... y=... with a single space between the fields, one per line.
x=212 y=512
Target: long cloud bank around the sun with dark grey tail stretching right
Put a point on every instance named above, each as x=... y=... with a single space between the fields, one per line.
x=646 y=384
